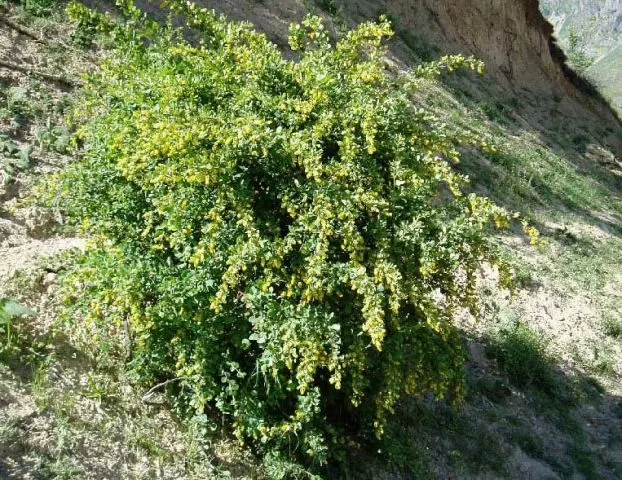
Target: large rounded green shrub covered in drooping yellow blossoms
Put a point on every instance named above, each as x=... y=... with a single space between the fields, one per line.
x=284 y=238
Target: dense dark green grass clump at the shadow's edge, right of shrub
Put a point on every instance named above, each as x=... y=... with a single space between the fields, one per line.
x=521 y=355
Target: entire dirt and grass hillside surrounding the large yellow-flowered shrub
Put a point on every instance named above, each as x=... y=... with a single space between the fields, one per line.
x=544 y=366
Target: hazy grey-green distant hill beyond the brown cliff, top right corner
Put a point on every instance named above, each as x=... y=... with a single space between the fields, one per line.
x=598 y=24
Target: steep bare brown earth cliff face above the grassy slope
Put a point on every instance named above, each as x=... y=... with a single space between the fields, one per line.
x=511 y=36
